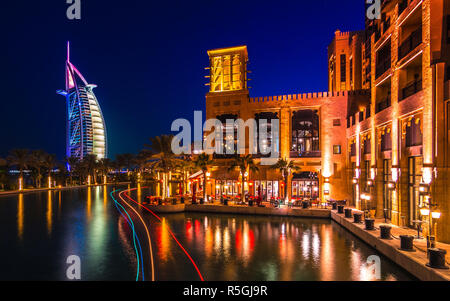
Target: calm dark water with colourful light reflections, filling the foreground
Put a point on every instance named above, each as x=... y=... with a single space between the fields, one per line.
x=40 y=230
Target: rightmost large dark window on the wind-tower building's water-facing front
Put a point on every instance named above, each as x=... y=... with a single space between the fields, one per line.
x=305 y=134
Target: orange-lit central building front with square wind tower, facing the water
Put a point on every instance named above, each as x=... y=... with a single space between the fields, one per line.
x=312 y=134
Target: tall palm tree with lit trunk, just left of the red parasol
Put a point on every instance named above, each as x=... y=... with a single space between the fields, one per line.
x=162 y=158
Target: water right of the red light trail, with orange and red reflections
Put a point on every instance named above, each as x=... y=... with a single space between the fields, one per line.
x=269 y=248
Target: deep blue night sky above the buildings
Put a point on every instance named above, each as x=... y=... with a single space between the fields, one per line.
x=148 y=60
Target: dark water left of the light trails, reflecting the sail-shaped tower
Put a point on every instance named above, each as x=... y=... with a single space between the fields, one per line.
x=52 y=225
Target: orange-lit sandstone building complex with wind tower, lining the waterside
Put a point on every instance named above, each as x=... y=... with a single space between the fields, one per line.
x=379 y=138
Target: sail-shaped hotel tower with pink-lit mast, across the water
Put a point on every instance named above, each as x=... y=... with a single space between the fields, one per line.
x=86 y=130
